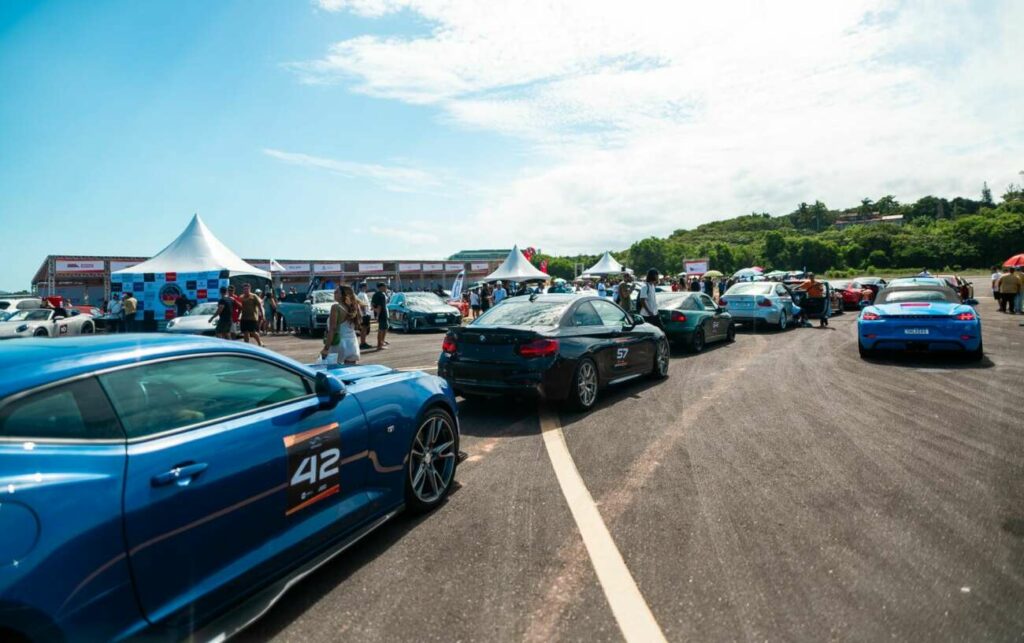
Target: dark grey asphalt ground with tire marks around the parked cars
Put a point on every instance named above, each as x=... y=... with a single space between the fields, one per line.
x=776 y=489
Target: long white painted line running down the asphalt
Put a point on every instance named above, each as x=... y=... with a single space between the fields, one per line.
x=634 y=617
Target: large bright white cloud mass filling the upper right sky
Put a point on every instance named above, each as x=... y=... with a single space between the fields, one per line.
x=646 y=117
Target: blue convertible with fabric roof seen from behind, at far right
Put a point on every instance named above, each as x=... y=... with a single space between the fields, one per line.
x=922 y=318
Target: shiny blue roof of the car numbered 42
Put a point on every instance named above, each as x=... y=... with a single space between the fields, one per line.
x=29 y=363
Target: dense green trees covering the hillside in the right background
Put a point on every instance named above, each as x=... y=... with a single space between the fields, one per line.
x=937 y=234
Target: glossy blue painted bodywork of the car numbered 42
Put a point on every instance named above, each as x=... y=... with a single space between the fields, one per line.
x=95 y=549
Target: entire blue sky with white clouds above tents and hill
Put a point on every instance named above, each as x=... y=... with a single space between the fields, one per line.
x=407 y=128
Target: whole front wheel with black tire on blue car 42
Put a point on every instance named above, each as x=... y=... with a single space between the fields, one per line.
x=420 y=497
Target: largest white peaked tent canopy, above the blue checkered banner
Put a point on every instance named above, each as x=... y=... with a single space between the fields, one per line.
x=196 y=250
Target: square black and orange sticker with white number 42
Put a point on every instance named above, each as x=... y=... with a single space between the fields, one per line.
x=314 y=466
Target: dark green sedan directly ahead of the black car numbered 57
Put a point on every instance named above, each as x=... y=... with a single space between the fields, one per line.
x=694 y=320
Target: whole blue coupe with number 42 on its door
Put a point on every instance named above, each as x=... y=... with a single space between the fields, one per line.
x=175 y=487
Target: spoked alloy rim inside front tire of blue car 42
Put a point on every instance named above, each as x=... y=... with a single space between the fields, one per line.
x=434 y=459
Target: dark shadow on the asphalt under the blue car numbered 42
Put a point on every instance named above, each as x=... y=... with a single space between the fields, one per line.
x=306 y=595
